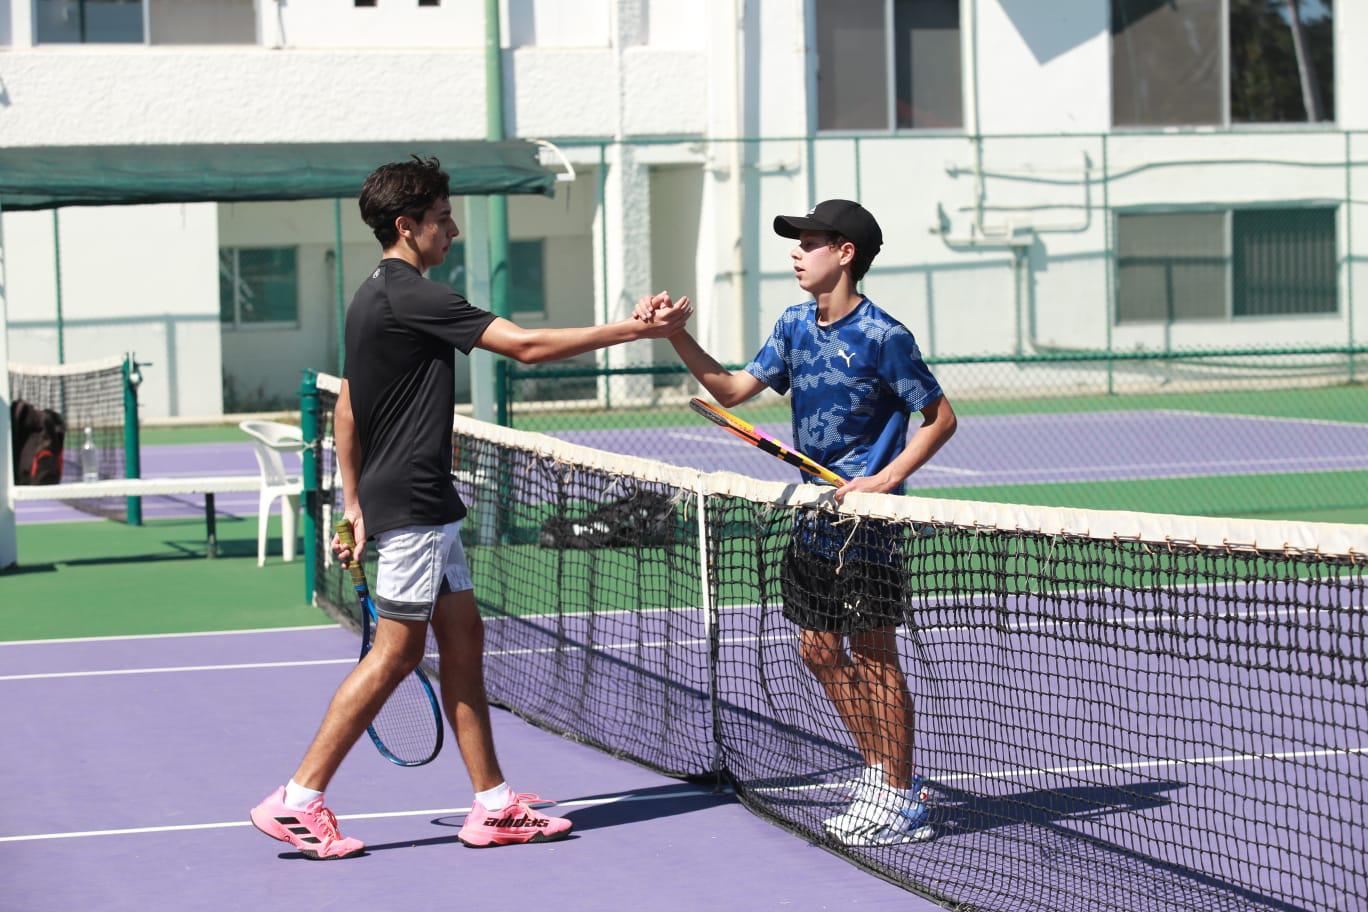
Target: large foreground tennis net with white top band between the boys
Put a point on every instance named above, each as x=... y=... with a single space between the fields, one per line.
x=1111 y=710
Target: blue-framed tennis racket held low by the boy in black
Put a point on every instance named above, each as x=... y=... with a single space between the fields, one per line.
x=408 y=728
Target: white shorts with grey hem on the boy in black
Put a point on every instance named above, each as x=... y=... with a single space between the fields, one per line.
x=419 y=564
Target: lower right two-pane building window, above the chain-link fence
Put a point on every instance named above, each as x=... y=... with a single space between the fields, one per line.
x=1215 y=266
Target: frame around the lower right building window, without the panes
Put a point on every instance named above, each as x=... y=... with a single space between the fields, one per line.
x=1228 y=213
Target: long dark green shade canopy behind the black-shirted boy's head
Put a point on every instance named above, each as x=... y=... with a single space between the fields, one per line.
x=53 y=177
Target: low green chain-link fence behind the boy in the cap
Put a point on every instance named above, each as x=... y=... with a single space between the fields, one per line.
x=1273 y=434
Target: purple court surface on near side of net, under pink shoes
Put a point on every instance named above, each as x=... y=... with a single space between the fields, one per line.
x=143 y=755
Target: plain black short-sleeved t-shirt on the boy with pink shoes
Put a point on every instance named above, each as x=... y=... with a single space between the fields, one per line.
x=402 y=330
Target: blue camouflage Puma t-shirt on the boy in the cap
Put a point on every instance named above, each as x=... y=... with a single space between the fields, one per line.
x=856 y=385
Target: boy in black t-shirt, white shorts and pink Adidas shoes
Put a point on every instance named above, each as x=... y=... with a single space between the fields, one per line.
x=393 y=427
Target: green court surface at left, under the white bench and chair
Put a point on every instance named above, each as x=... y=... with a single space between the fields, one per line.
x=107 y=579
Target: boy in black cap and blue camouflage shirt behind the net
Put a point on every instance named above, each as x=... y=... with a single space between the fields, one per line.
x=857 y=377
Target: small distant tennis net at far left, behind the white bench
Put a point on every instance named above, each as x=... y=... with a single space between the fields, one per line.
x=91 y=400
